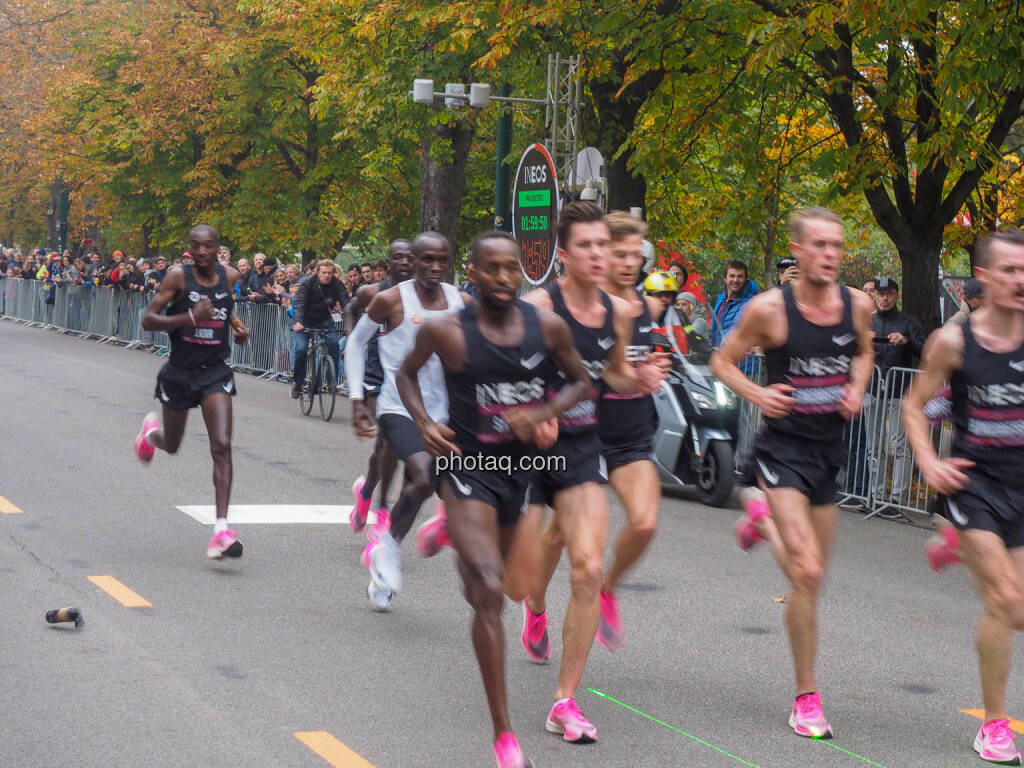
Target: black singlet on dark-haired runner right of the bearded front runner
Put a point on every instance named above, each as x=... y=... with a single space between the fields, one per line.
x=594 y=345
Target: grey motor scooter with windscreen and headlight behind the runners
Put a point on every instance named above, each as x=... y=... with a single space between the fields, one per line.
x=699 y=419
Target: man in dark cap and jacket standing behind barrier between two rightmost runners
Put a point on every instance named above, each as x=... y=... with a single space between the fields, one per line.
x=899 y=342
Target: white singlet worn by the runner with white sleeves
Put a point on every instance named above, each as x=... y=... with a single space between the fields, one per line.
x=398 y=344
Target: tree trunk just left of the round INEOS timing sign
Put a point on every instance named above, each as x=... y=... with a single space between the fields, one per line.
x=446 y=150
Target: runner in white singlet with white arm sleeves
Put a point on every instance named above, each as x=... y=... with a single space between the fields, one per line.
x=404 y=309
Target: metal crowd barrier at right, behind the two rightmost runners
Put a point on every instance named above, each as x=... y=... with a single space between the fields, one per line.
x=881 y=476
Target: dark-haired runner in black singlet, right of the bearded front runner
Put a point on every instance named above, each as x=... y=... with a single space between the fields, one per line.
x=571 y=483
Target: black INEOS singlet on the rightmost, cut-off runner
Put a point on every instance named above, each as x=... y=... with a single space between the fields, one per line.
x=989 y=410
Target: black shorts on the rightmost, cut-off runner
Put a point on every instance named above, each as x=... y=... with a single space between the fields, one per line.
x=987 y=504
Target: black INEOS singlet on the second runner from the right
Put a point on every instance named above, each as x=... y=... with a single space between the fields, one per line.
x=816 y=361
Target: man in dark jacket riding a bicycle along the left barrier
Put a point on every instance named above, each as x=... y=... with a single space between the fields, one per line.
x=318 y=306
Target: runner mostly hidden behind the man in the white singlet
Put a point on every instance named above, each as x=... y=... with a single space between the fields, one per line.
x=383 y=461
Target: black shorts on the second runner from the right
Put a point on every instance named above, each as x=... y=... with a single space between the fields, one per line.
x=808 y=467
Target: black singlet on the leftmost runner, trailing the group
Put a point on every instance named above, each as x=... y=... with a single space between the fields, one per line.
x=206 y=345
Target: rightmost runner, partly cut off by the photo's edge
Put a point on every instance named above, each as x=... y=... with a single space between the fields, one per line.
x=984 y=361
